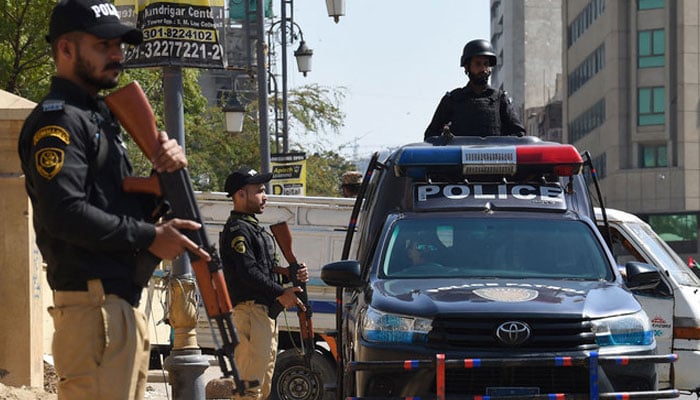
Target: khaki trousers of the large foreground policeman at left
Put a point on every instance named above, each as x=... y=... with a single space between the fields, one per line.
x=100 y=346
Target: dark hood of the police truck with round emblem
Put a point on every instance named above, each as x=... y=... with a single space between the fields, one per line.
x=429 y=297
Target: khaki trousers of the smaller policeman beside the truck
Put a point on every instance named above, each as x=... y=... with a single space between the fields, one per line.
x=256 y=353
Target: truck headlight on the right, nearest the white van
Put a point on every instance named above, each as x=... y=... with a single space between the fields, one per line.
x=624 y=330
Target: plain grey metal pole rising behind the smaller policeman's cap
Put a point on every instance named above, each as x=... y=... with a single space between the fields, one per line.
x=262 y=90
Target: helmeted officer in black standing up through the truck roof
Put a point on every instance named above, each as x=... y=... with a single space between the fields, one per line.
x=476 y=109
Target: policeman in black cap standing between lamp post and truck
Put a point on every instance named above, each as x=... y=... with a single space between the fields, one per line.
x=250 y=261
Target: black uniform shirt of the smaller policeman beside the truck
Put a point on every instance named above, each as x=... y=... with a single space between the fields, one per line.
x=248 y=256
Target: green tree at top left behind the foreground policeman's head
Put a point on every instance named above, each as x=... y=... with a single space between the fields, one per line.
x=25 y=55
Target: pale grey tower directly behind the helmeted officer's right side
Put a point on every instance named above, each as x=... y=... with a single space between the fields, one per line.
x=527 y=40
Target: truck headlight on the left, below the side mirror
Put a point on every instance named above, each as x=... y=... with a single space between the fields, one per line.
x=378 y=326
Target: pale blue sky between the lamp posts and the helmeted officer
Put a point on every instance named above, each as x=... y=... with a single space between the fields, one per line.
x=395 y=59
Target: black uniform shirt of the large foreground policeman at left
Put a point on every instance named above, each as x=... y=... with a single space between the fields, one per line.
x=86 y=226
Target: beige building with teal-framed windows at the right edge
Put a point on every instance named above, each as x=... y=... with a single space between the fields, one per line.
x=631 y=97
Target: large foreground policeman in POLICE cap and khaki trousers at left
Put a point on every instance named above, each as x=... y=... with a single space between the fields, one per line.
x=99 y=243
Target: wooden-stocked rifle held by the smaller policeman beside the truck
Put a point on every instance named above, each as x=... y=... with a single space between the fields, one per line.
x=283 y=237
